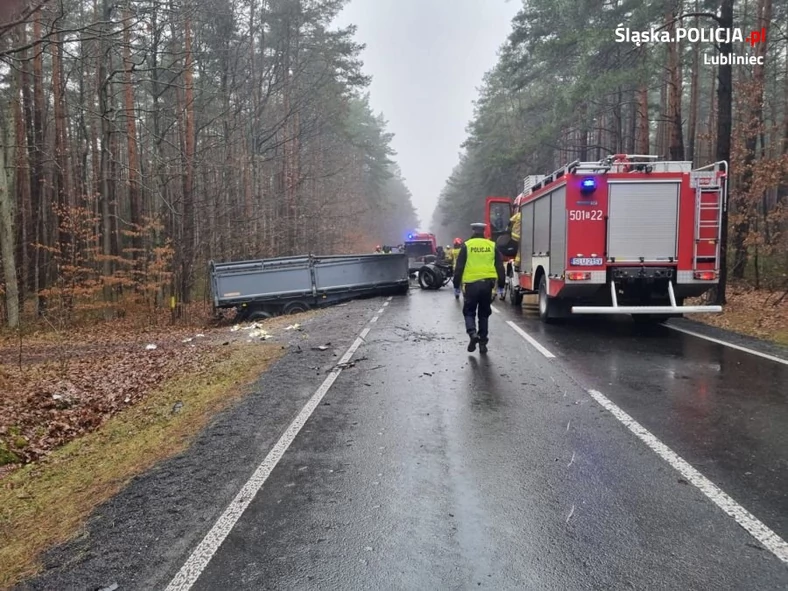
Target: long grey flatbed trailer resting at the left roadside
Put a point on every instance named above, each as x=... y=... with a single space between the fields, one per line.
x=288 y=285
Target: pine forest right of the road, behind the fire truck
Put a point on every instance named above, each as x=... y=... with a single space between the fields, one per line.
x=564 y=88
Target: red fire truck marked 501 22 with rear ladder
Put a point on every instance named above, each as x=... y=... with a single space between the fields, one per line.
x=629 y=234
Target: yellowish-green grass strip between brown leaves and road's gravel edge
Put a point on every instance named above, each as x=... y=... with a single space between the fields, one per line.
x=46 y=503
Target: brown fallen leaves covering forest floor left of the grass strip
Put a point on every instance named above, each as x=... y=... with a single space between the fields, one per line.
x=57 y=387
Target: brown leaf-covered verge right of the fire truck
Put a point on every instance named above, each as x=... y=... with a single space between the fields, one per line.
x=752 y=313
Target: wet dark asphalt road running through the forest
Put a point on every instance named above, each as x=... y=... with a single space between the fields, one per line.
x=426 y=467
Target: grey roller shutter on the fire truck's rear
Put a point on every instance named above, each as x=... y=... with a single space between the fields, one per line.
x=642 y=221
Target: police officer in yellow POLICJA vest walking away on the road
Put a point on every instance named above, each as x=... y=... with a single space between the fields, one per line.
x=478 y=268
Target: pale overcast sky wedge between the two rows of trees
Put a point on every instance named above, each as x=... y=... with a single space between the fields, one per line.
x=426 y=59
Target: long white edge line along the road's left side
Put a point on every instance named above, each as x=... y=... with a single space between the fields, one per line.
x=202 y=555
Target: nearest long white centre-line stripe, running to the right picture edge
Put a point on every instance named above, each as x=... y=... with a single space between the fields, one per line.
x=756 y=528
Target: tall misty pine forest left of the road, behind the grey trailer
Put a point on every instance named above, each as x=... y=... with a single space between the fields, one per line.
x=140 y=139
